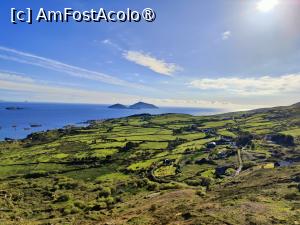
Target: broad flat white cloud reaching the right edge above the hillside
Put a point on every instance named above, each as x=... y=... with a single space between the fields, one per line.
x=265 y=85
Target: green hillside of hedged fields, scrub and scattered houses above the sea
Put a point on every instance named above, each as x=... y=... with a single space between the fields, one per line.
x=237 y=168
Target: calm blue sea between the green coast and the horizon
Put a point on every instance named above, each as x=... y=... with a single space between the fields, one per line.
x=16 y=123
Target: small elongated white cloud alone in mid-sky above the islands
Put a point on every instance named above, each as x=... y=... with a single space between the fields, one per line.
x=156 y=65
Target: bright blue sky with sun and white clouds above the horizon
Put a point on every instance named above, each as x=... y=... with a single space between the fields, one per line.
x=220 y=53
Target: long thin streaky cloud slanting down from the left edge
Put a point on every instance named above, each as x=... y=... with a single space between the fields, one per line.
x=27 y=58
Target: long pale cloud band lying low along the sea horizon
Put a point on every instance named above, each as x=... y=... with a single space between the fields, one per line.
x=41 y=91
